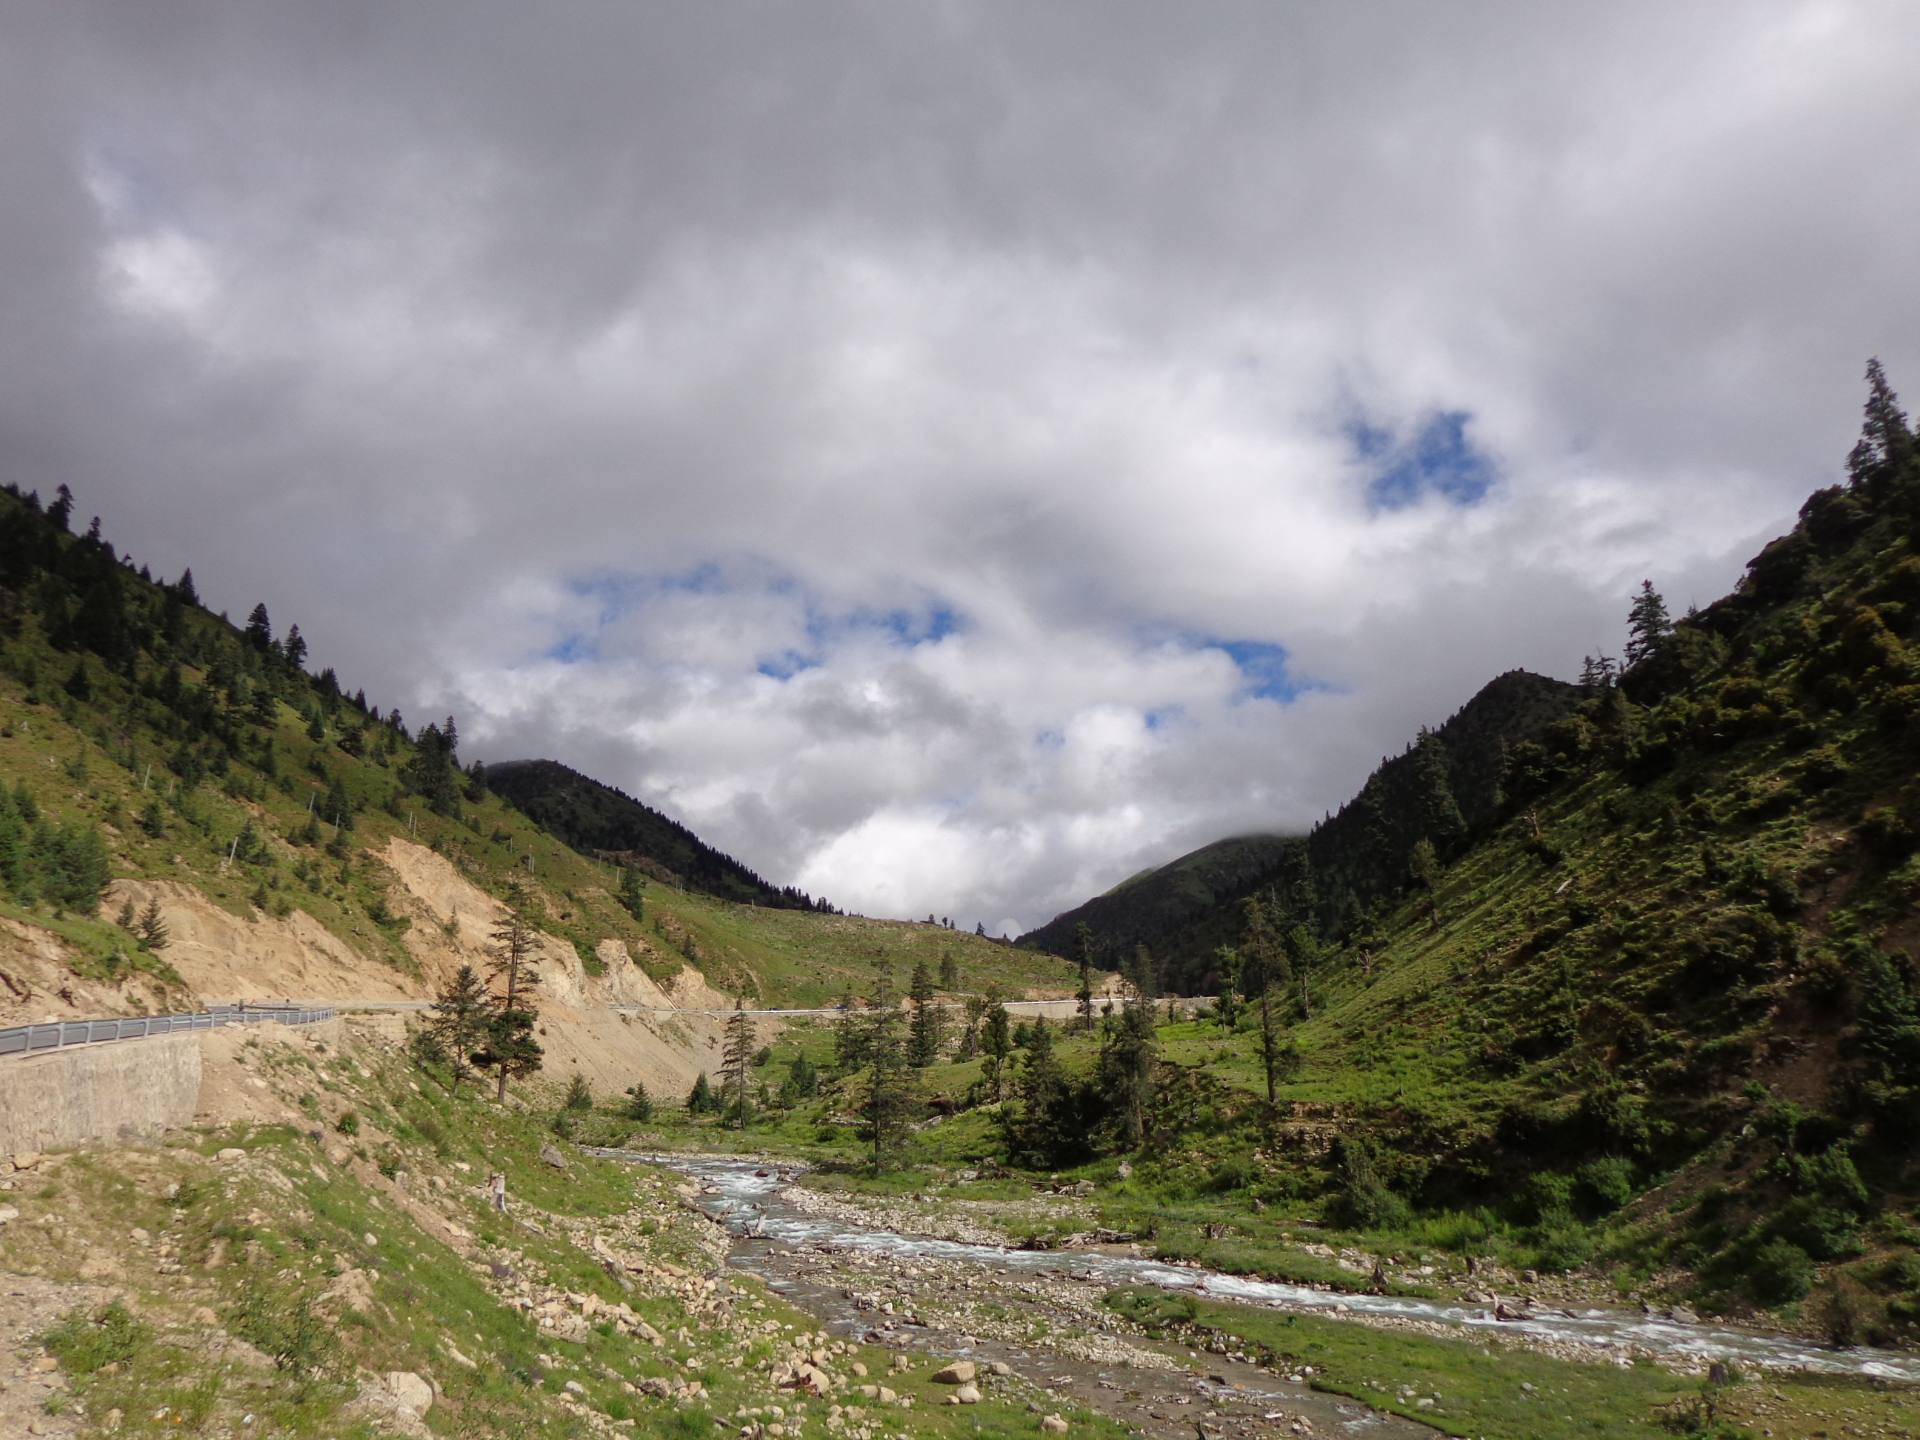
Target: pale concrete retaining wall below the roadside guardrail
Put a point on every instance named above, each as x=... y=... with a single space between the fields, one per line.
x=99 y=1093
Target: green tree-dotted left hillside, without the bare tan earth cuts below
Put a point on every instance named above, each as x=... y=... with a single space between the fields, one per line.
x=143 y=736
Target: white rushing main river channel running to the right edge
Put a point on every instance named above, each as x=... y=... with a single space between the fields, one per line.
x=748 y=1197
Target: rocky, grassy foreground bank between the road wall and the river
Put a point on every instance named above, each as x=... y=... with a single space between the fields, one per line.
x=262 y=1276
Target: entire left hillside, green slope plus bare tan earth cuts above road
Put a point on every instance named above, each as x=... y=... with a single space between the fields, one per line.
x=299 y=840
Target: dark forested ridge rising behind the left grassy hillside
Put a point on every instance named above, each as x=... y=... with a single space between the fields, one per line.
x=613 y=827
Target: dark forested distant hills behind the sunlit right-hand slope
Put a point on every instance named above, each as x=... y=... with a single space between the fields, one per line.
x=1445 y=784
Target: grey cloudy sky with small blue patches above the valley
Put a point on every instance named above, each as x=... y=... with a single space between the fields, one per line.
x=951 y=454
